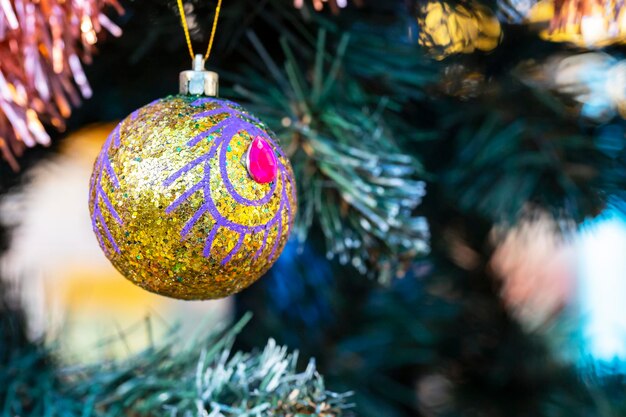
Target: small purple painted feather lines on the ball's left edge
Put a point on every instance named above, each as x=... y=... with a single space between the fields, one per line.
x=100 y=199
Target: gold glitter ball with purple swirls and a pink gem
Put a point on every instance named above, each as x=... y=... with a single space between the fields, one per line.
x=192 y=197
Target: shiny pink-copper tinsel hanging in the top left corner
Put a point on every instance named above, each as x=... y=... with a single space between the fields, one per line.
x=41 y=48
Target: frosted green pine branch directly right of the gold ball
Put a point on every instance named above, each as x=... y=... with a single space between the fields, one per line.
x=355 y=180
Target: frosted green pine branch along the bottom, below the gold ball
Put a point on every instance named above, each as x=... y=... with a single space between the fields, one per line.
x=196 y=377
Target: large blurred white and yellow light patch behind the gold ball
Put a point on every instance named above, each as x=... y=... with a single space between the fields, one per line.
x=69 y=287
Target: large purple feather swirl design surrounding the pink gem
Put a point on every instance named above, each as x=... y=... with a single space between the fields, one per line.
x=235 y=121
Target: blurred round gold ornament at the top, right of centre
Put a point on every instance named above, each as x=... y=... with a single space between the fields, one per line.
x=447 y=29
